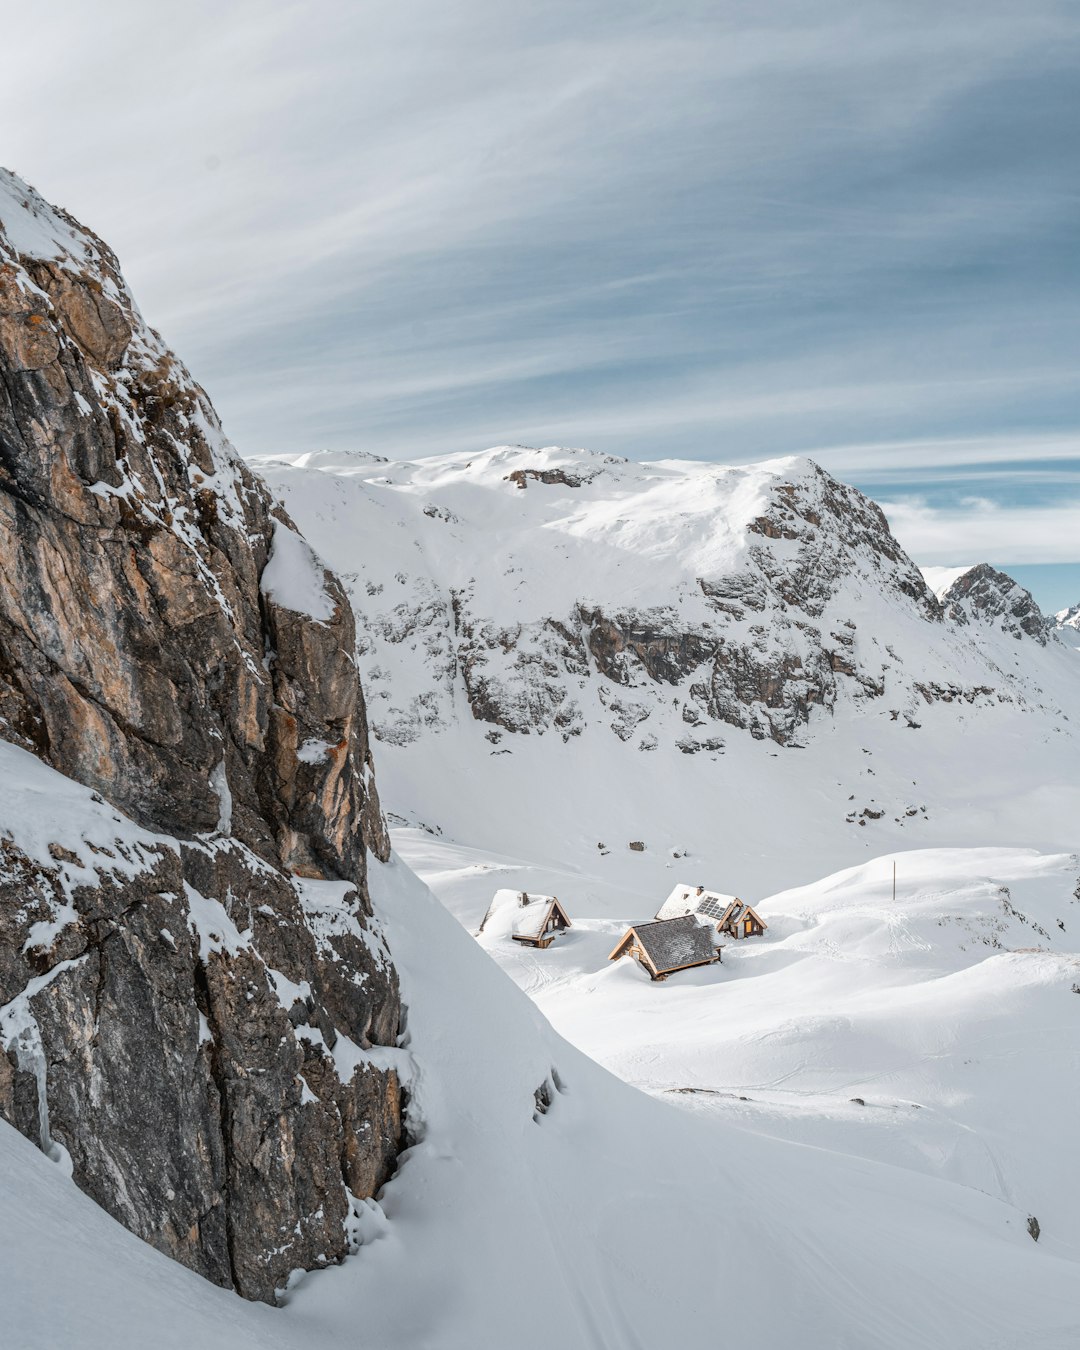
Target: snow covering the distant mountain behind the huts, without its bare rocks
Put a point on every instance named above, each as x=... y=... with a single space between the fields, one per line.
x=429 y=547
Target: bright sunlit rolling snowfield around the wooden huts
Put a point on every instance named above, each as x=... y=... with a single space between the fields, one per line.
x=935 y=1033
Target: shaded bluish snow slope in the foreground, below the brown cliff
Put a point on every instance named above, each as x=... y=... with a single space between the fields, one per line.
x=612 y=1209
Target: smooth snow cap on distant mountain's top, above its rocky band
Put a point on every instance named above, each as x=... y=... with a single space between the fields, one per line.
x=632 y=529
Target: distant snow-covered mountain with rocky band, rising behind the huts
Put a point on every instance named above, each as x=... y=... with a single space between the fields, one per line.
x=740 y=664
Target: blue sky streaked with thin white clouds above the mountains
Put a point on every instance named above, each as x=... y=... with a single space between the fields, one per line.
x=720 y=232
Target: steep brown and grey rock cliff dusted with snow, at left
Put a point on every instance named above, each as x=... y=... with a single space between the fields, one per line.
x=192 y=985
